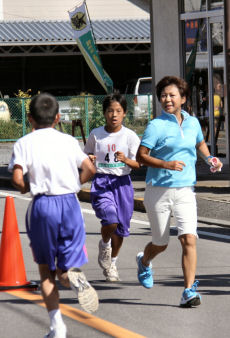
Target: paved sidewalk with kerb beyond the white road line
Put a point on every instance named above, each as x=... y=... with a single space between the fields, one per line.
x=212 y=190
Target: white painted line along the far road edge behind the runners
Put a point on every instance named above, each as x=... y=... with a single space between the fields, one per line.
x=91 y=212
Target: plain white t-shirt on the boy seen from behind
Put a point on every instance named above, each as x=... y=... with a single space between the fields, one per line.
x=51 y=159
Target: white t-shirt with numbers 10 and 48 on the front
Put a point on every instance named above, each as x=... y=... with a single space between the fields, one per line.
x=104 y=145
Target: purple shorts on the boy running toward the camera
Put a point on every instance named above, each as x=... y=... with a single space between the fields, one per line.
x=112 y=200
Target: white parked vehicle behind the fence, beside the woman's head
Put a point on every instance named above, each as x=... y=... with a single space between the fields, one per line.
x=142 y=90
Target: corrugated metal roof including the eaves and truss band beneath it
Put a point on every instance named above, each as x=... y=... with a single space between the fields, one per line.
x=50 y=38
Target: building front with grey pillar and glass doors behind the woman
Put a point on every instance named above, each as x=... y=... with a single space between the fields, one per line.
x=191 y=39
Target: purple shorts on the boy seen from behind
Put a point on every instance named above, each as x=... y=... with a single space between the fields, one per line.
x=55 y=227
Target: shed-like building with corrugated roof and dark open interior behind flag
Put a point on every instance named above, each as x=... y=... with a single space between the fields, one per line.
x=37 y=49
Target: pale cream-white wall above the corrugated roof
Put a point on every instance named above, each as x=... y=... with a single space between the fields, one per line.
x=58 y=9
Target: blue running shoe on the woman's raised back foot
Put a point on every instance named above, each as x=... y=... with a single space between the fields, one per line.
x=144 y=273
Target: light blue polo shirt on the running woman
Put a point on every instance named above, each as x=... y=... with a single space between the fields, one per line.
x=169 y=141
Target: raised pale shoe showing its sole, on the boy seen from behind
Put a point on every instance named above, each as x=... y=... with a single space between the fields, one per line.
x=87 y=295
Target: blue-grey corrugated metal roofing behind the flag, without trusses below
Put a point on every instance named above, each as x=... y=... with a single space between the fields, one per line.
x=26 y=33
